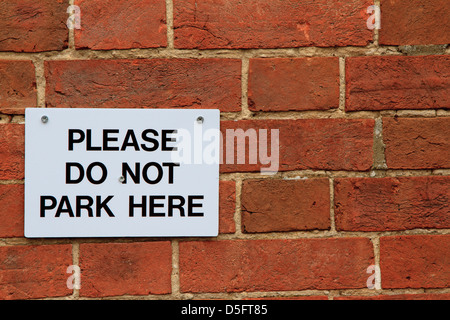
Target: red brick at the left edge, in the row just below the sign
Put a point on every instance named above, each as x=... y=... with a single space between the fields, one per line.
x=31 y=272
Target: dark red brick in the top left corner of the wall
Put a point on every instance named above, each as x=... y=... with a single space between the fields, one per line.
x=33 y=26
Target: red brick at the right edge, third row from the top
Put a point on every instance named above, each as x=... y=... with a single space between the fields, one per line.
x=417 y=143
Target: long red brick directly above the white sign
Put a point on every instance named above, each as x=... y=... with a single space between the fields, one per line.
x=145 y=83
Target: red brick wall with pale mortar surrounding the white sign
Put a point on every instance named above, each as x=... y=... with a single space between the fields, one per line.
x=364 y=120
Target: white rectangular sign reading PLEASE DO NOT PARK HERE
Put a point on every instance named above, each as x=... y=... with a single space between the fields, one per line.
x=121 y=172
